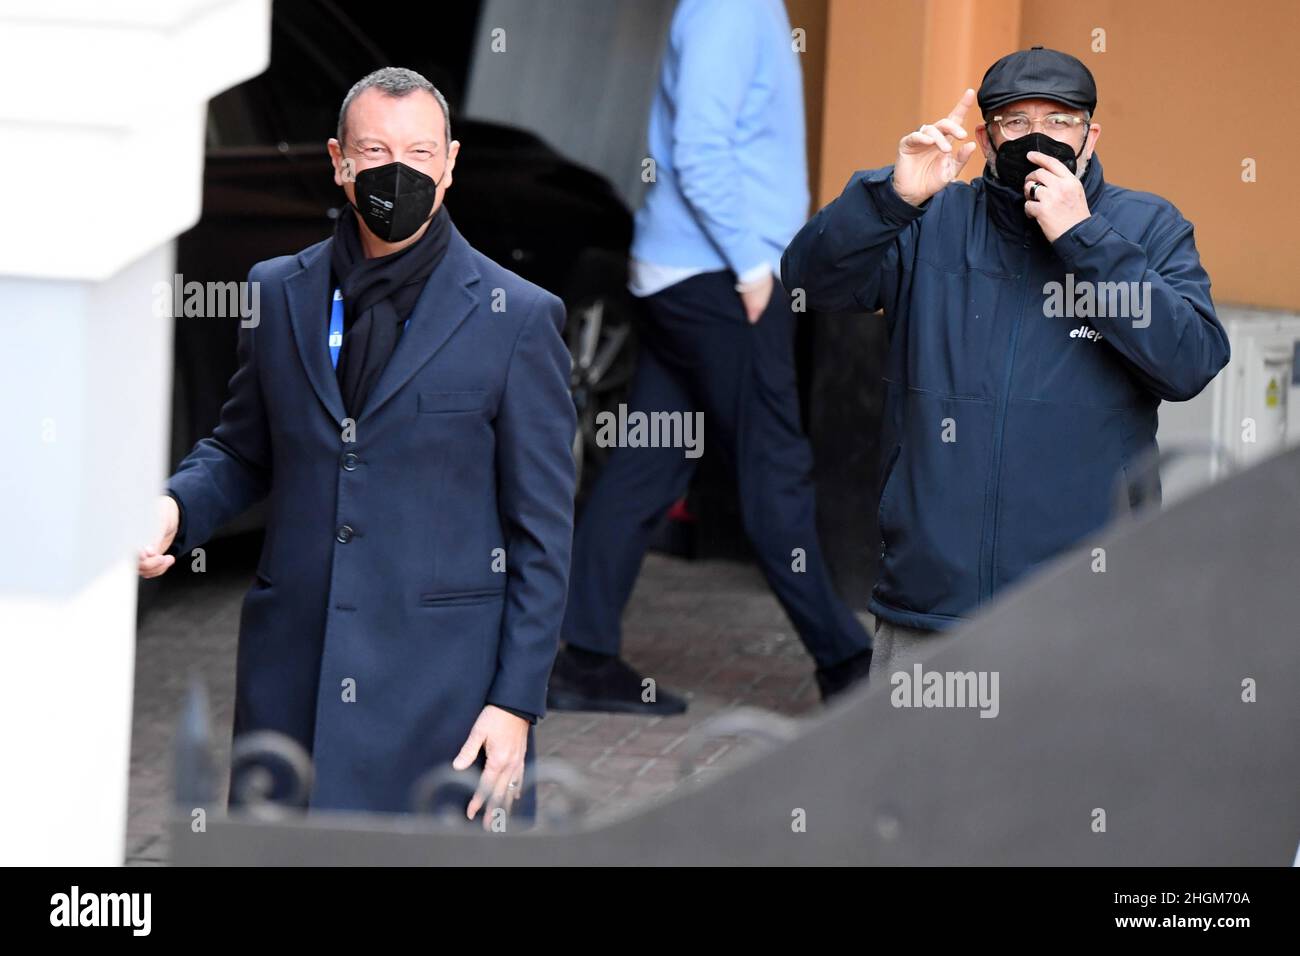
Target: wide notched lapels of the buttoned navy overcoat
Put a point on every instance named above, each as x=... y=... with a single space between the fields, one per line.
x=444 y=305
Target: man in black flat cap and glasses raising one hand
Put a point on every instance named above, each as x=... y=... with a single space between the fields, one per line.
x=1038 y=318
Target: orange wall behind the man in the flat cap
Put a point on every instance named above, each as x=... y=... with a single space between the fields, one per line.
x=1188 y=92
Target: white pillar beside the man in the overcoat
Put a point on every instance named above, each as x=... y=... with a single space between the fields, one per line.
x=102 y=136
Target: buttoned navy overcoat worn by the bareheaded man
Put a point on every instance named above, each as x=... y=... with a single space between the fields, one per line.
x=415 y=561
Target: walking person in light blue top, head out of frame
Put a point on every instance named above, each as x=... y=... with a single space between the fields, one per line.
x=729 y=194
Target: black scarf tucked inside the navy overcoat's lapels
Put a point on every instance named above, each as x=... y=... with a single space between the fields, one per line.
x=379 y=296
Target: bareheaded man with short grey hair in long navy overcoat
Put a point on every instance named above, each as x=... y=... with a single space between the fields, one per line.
x=404 y=404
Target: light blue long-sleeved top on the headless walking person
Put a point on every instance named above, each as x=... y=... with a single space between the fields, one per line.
x=727 y=141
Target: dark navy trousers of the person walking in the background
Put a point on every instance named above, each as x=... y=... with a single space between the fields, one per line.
x=699 y=353
